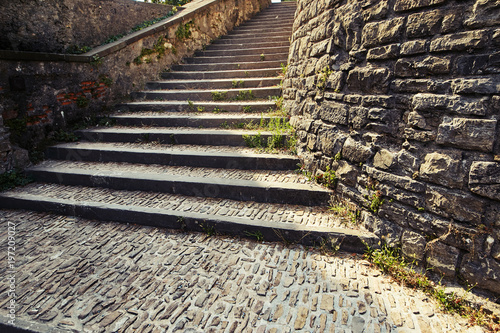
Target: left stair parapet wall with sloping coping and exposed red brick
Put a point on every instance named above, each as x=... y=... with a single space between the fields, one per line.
x=51 y=92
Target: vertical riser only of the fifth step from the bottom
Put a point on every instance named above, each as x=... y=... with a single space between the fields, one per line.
x=212 y=122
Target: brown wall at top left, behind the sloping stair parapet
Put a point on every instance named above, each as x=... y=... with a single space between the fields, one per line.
x=56 y=25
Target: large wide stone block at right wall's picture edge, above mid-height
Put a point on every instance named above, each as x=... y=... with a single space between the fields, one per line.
x=467 y=133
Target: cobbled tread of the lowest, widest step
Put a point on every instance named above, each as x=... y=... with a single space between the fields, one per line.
x=281 y=216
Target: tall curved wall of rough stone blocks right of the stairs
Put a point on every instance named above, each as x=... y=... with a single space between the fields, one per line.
x=402 y=99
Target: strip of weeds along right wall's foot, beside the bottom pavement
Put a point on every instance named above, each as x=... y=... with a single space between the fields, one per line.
x=391 y=262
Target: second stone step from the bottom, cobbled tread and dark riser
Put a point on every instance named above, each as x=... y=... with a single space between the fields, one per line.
x=230 y=184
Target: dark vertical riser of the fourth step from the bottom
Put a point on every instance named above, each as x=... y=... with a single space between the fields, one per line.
x=169 y=138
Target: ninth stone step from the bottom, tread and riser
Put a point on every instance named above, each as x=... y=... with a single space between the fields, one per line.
x=225 y=74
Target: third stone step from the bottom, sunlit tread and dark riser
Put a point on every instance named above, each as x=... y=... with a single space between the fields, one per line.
x=178 y=155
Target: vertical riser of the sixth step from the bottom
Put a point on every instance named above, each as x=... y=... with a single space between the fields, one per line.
x=184 y=107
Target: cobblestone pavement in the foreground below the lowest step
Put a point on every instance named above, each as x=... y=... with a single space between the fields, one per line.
x=86 y=276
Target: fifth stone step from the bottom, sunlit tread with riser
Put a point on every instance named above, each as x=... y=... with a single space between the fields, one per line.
x=198 y=120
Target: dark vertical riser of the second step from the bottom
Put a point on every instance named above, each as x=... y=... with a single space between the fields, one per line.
x=187 y=187
